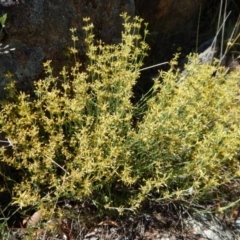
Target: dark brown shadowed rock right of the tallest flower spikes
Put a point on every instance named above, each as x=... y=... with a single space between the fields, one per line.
x=173 y=25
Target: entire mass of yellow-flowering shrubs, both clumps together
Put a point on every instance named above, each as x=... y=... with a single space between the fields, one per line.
x=76 y=136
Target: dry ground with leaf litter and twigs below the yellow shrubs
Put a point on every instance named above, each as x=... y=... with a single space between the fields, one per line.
x=165 y=221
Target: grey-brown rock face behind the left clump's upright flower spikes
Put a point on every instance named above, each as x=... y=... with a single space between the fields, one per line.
x=39 y=30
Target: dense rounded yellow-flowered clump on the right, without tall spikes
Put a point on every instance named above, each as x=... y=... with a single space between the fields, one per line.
x=190 y=132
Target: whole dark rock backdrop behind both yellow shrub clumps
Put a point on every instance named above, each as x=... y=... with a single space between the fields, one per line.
x=39 y=30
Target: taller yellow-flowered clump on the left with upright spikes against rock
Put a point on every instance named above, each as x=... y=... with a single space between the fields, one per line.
x=72 y=137
